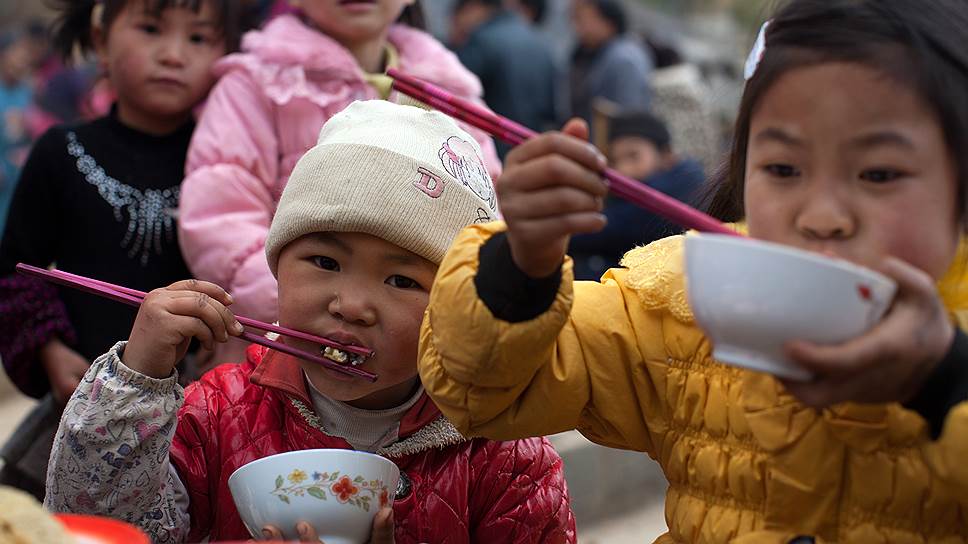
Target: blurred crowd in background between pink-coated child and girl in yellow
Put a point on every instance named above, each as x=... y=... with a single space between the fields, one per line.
x=648 y=108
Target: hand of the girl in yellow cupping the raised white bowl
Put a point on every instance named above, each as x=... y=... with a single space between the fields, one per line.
x=891 y=362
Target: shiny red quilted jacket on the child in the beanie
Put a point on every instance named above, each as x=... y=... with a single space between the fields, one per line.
x=461 y=490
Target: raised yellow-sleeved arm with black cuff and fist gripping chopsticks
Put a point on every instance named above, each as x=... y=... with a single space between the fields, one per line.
x=510 y=346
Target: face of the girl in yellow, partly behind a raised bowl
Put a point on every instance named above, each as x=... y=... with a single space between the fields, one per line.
x=844 y=160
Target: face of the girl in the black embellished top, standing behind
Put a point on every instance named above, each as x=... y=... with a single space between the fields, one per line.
x=160 y=65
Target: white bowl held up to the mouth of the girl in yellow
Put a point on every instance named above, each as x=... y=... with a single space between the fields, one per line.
x=751 y=297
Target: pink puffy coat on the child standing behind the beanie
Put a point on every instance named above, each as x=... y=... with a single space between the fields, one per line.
x=266 y=112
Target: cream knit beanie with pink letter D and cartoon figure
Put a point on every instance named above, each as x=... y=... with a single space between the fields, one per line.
x=409 y=176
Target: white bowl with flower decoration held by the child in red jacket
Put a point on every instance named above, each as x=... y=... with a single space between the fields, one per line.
x=337 y=491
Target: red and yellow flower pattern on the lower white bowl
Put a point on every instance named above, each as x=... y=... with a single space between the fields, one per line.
x=355 y=491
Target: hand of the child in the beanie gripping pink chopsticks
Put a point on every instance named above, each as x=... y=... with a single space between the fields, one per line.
x=170 y=317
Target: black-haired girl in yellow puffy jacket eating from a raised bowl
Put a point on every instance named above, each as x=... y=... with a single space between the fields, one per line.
x=850 y=142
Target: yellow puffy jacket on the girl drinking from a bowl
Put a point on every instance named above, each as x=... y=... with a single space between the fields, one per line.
x=624 y=362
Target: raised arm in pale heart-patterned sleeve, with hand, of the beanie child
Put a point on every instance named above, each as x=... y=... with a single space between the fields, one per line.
x=110 y=454
